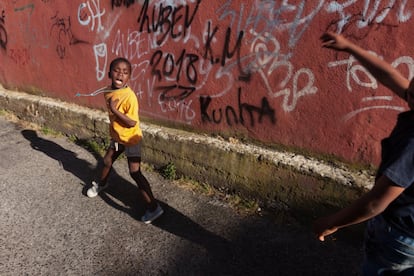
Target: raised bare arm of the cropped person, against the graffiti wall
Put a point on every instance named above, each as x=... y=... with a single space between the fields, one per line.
x=381 y=70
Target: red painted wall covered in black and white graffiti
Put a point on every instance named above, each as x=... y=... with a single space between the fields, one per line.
x=244 y=68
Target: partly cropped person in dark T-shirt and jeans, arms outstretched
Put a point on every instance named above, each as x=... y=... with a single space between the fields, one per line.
x=389 y=205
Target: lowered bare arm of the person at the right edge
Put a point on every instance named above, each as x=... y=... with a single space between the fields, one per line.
x=369 y=205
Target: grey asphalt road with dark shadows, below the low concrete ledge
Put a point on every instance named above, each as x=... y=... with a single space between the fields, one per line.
x=49 y=227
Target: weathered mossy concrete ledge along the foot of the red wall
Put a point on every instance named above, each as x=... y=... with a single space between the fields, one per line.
x=267 y=175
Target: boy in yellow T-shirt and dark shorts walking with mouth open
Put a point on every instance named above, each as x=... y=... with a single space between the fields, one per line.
x=126 y=136
